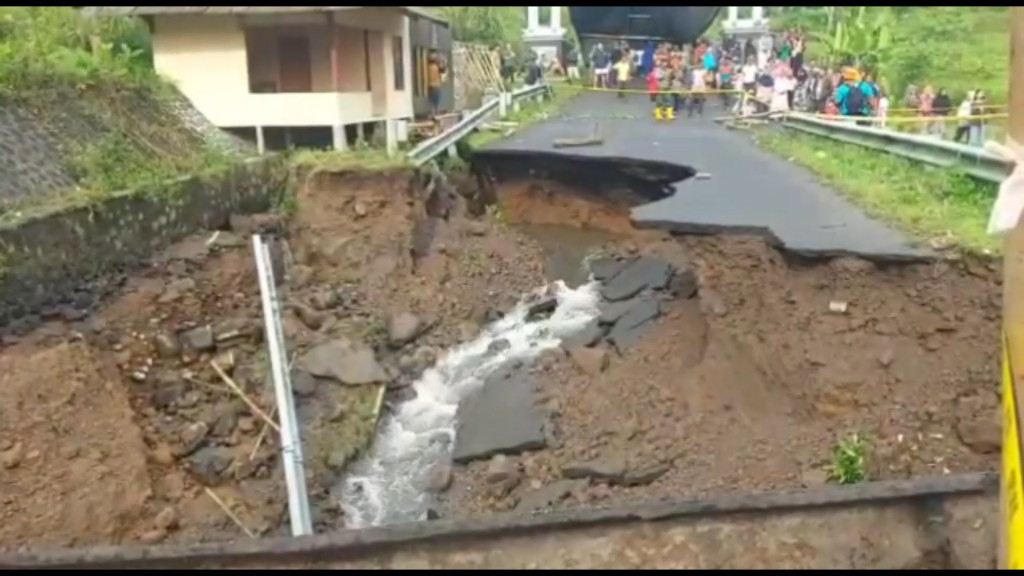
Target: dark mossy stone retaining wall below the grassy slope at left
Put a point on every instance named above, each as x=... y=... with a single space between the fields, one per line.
x=61 y=262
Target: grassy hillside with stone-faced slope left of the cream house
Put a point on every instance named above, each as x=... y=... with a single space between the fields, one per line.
x=83 y=113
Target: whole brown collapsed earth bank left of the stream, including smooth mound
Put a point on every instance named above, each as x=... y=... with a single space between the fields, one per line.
x=116 y=429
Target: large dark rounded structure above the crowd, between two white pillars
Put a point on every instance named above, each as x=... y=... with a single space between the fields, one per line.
x=681 y=25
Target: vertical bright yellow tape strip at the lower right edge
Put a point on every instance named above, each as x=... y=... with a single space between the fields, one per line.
x=1013 y=490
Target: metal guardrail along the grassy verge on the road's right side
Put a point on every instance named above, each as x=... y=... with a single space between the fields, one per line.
x=973 y=161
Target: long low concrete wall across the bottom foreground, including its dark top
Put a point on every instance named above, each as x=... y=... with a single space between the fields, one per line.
x=938 y=523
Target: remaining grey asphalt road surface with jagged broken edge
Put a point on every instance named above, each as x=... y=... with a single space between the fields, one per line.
x=749 y=191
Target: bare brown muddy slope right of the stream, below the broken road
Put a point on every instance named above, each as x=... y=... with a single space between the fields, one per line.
x=751 y=385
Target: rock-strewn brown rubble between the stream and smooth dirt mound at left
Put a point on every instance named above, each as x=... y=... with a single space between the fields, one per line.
x=363 y=318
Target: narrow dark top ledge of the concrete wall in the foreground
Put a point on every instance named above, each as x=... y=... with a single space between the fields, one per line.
x=354 y=545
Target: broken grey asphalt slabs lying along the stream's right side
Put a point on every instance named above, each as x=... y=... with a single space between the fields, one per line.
x=505 y=420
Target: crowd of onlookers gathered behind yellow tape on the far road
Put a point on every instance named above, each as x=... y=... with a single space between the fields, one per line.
x=773 y=71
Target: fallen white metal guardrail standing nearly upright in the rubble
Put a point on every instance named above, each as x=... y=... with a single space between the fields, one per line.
x=291 y=442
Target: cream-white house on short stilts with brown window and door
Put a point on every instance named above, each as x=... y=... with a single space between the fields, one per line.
x=304 y=73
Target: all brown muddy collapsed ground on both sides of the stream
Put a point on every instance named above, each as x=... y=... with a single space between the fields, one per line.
x=116 y=429
